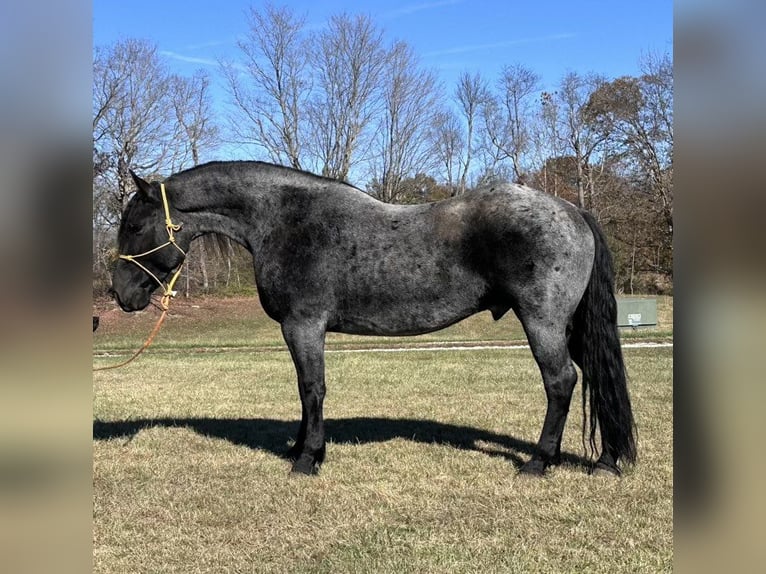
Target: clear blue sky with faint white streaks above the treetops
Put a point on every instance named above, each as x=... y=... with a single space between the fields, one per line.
x=550 y=37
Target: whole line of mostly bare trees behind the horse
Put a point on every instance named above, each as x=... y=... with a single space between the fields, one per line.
x=347 y=103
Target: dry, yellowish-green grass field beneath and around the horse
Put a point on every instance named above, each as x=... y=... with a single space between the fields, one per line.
x=421 y=471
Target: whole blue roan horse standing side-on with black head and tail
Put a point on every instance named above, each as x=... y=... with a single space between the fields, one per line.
x=328 y=257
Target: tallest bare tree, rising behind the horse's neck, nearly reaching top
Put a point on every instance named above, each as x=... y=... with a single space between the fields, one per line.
x=270 y=89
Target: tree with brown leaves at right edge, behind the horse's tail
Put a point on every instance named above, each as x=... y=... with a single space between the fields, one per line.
x=637 y=115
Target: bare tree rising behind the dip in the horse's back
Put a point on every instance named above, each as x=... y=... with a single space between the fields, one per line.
x=410 y=98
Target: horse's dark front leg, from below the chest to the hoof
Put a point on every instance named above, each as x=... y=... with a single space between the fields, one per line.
x=305 y=339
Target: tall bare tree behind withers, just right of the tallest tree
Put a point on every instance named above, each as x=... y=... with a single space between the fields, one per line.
x=349 y=60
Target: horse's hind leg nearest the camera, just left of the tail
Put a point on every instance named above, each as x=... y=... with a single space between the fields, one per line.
x=548 y=342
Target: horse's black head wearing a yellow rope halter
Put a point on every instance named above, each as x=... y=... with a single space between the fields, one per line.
x=149 y=251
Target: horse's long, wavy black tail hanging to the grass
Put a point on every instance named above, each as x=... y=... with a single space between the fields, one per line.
x=595 y=343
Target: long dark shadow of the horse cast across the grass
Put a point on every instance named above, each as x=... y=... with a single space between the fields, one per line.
x=271 y=435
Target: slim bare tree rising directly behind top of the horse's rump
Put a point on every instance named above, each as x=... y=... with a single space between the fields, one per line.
x=508 y=117
